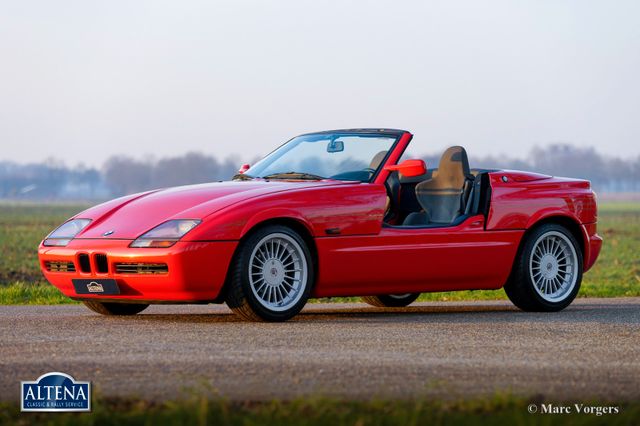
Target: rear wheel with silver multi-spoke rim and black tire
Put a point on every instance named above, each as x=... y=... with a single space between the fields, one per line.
x=547 y=272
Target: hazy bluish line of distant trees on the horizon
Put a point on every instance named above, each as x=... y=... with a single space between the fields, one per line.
x=119 y=175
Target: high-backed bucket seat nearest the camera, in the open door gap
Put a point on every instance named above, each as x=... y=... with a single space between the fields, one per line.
x=441 y=196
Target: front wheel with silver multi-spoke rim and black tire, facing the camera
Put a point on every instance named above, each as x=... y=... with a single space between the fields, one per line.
x=276 y=294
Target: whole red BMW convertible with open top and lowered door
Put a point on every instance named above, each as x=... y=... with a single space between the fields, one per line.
x=332 y=214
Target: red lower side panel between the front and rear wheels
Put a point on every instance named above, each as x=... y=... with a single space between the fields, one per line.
x=411 y=260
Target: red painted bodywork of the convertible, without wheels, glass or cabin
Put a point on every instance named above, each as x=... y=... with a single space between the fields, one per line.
x=355 y=254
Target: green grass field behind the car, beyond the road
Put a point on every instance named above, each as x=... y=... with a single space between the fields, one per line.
x=22 y=226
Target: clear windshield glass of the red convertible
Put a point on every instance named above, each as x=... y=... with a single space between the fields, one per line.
x=328 y=155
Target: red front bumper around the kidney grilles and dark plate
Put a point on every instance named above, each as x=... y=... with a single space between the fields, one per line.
x=196 y=271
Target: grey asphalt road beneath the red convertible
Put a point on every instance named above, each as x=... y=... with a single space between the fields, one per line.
x=450 y=350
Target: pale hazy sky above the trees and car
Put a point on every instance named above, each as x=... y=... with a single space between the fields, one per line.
x=82 y=80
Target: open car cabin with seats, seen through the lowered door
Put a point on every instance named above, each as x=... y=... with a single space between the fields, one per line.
x=445 y=196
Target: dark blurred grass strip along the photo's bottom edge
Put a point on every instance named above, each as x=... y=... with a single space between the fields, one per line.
x=499 y=410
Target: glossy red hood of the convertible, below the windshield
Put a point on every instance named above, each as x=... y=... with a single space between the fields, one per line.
x=129 y=217
